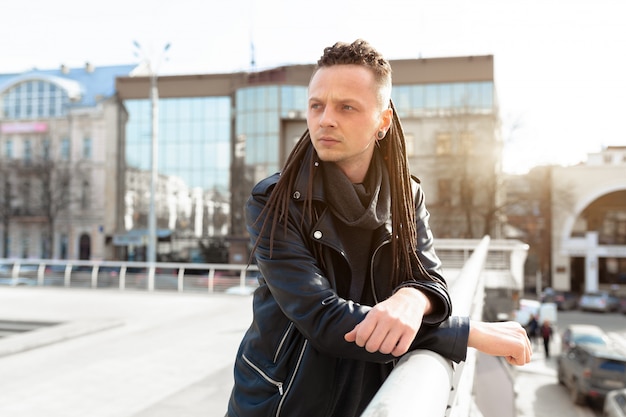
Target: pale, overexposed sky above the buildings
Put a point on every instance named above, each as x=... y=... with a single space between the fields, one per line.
x=560 y=66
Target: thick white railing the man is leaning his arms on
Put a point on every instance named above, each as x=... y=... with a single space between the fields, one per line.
x=424 y=381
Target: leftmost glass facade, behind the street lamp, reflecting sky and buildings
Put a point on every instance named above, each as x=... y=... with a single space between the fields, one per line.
x=193 y=165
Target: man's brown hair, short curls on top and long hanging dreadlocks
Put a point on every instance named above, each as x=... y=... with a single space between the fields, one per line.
x=393 y=150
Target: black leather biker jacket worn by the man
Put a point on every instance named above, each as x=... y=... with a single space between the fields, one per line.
x=285 y=363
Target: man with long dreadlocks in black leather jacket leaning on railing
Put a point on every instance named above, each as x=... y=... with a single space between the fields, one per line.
x=349 y=279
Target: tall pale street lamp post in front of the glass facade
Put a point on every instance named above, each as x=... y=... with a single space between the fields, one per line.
x=151 y=68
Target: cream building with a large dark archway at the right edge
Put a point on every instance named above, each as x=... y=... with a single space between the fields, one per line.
x=589 y=223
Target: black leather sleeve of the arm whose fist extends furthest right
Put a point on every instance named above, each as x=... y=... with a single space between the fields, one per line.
x=301 y=292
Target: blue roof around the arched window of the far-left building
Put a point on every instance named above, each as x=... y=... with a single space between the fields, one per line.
x=89 y=86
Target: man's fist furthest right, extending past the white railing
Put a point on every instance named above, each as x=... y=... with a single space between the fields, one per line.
x=507 y=339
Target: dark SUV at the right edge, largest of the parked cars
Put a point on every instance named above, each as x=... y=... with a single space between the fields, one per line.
x=591 y=371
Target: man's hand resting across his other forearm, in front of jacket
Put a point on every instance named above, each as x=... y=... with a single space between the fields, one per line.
x=391 y=325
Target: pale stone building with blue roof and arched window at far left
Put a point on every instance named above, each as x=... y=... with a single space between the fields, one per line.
x=60 y=162
